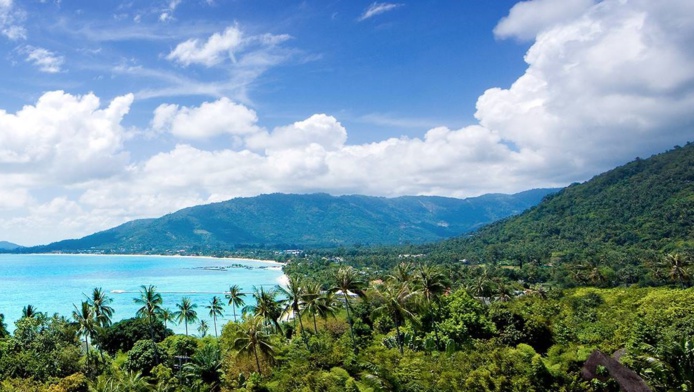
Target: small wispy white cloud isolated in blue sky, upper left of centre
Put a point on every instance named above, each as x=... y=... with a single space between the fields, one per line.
x=220 y=47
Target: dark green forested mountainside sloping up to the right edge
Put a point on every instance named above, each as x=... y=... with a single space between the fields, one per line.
x=634 y=212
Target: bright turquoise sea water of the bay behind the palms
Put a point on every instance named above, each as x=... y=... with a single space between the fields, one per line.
x=53 y=283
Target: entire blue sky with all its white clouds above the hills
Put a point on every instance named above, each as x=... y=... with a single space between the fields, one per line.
x=118 y=110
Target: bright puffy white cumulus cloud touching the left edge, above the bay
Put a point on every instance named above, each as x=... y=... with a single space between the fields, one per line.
x=62 y=140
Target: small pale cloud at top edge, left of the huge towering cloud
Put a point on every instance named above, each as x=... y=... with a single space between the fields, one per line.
x=528 y=18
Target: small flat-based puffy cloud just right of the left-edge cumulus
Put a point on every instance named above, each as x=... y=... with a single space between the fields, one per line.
x=221 y=117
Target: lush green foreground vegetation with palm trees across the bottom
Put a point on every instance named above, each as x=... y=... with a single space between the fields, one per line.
x=413 y=330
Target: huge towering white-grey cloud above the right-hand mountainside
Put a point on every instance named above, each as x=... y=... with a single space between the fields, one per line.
x=601 y=89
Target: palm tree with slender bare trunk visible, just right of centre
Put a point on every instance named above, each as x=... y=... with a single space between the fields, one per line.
x=396 y=300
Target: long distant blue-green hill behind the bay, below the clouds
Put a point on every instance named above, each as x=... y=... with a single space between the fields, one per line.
x=313 y=220
